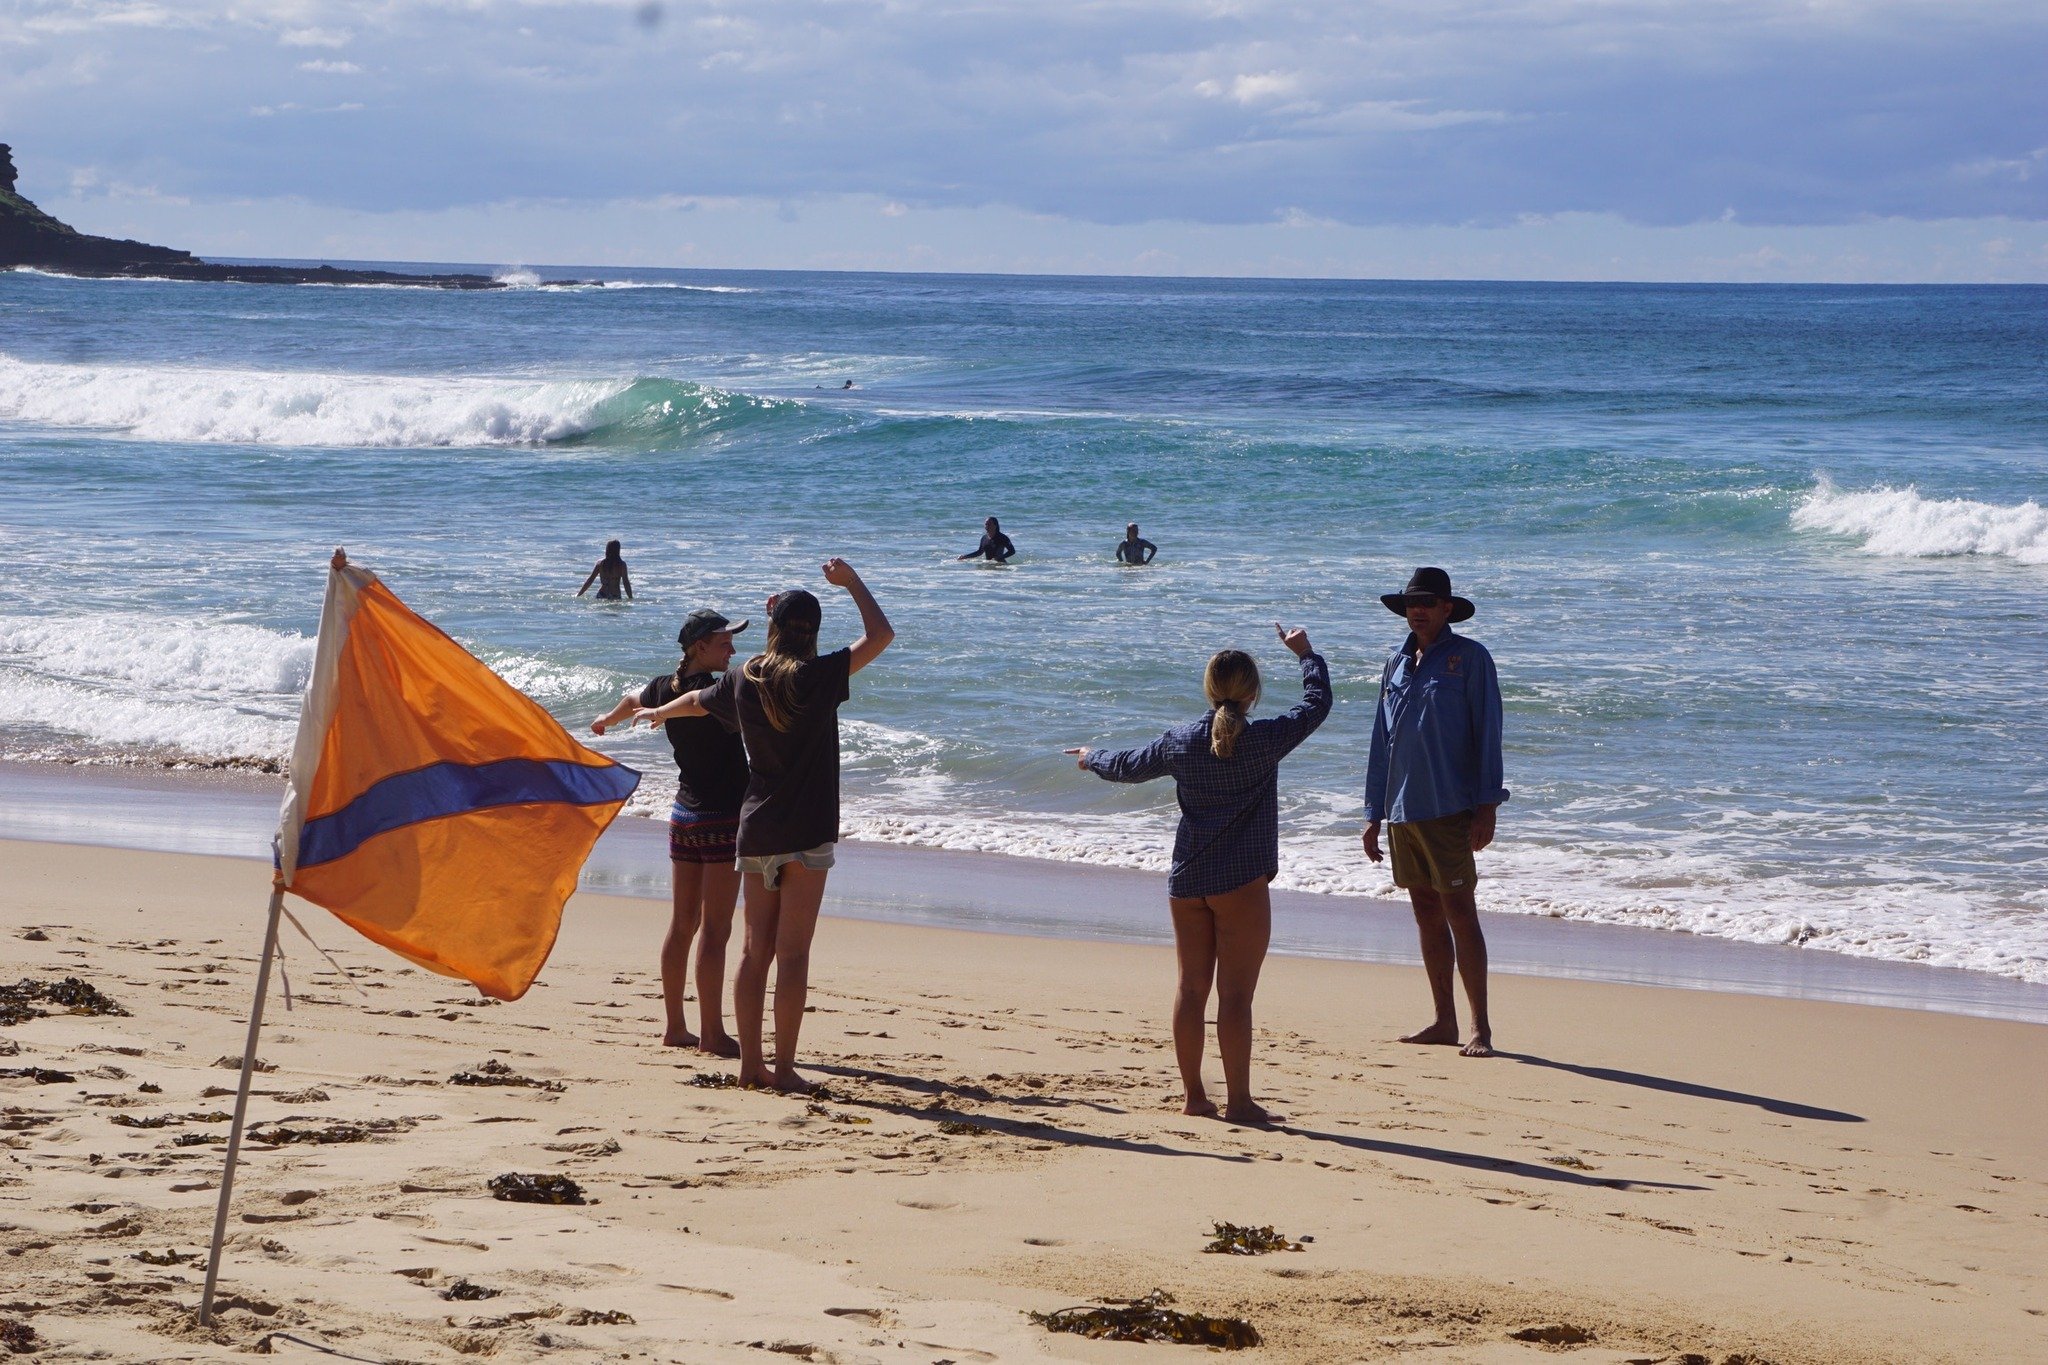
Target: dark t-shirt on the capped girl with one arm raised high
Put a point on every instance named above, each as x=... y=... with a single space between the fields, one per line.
x=794 y=791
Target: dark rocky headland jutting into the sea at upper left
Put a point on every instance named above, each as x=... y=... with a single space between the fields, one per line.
x=36 y=240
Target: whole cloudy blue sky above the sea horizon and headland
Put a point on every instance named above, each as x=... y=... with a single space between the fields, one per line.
x=1613 y=140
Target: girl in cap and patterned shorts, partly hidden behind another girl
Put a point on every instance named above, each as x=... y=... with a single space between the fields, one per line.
x=703 y=826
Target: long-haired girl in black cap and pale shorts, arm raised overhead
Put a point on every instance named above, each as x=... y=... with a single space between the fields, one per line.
x=787 y=707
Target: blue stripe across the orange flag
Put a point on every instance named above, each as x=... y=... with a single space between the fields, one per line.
x=458 y=789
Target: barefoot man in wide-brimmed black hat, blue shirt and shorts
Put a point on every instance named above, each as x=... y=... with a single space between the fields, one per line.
x=1435 y=781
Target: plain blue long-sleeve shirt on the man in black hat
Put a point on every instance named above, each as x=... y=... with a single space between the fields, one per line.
x=1437 y=734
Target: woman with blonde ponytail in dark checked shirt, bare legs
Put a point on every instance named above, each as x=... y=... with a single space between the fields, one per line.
x=1226 y=852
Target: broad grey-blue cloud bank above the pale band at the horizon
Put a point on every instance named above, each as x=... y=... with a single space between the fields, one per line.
x=1111 y=114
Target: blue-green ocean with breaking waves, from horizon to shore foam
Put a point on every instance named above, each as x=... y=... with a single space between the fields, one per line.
x=1764 y=568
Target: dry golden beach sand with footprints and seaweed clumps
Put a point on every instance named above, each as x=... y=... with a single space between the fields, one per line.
x=1666 y=1174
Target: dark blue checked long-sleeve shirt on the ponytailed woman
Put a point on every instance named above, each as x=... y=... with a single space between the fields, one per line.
x=1230 y=809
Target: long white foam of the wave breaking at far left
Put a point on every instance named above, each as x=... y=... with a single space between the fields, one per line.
x=282 y=408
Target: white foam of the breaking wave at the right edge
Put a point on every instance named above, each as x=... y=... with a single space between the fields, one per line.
x=1906 y=525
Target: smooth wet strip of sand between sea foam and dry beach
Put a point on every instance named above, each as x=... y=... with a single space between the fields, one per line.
x=230 y=811
